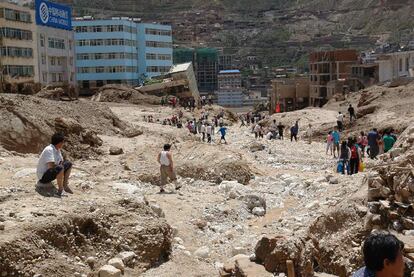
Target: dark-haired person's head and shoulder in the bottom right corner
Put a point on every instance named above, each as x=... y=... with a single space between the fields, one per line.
x=383 y=256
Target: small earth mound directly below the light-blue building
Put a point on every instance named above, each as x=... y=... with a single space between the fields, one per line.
x=124 y=94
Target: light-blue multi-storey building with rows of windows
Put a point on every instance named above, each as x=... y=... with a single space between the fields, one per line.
x=120 y=51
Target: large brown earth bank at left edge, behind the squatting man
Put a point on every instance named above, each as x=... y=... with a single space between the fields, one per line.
x=28 y=122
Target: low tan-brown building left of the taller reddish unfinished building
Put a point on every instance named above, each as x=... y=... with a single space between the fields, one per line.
x=290 y=93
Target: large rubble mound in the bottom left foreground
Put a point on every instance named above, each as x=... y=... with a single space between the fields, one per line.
x=131 y=241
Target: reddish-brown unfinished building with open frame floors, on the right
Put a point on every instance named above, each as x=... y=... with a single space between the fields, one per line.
x=328 y=66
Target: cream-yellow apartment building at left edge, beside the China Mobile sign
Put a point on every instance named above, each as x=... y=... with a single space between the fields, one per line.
x=18 y=58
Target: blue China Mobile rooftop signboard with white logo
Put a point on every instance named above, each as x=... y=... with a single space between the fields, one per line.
x=53 y=15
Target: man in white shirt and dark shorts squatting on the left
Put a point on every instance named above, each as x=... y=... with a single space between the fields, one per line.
x=51 y=165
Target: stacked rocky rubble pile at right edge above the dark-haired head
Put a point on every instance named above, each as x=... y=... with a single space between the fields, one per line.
x=391 y=187
